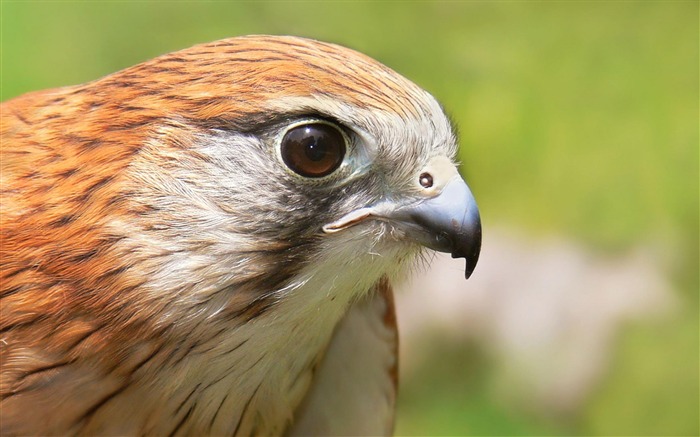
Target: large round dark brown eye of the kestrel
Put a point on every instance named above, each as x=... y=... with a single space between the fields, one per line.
x=313 y=150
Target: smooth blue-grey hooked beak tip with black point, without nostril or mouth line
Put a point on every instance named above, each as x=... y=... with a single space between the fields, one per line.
x=448 y=222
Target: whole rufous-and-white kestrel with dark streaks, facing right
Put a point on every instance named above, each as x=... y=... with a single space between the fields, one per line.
x=205 y=243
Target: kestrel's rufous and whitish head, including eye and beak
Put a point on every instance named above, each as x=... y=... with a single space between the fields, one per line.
x=322 y=144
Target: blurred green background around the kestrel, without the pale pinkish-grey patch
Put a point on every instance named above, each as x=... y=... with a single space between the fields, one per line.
x=577 y=119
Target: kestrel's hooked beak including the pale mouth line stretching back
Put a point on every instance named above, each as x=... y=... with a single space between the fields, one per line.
x=447 y=220
